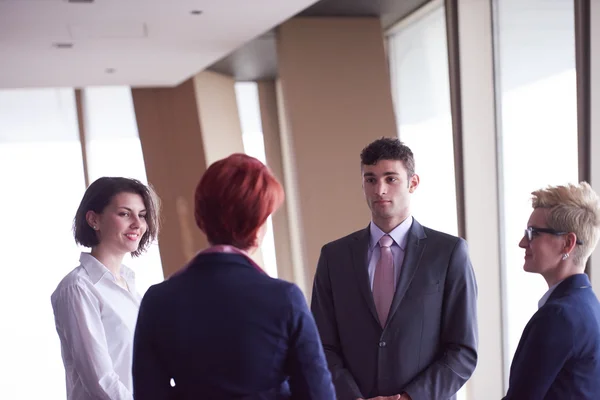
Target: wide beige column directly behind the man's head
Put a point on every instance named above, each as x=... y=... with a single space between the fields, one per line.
x=335 y=99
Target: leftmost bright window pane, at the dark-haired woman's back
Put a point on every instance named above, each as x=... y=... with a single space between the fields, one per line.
x=41 y=176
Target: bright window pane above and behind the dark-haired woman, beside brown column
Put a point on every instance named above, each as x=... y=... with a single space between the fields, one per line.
x=113 y=148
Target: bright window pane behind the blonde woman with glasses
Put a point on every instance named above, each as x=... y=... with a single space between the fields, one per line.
x=538 y=131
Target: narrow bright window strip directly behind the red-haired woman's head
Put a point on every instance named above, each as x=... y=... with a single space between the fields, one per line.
x=254 y=145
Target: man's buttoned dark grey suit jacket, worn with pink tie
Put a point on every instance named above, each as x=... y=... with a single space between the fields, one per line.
x=428 y=347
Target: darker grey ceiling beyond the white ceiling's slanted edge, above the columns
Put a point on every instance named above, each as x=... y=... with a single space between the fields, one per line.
x=257 y=59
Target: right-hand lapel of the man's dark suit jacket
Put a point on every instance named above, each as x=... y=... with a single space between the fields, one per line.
x=415 y=246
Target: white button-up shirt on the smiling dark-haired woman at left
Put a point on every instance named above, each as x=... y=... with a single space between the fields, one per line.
x=95 y=320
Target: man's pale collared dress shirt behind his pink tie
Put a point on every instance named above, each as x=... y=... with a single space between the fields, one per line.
x=400 y=236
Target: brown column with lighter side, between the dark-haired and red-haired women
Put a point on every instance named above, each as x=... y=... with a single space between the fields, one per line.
x=183 y=130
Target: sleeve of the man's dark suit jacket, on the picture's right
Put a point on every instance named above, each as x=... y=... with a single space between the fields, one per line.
x=458 y=356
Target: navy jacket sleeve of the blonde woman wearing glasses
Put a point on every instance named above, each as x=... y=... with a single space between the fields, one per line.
x=543 y=350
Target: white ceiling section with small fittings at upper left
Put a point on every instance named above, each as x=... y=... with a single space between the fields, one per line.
x=139 y=43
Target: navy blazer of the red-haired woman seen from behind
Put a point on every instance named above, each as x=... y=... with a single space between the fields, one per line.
x=222 y=329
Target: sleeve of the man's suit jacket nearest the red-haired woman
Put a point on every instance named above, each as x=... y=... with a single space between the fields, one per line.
x=324 y=314
